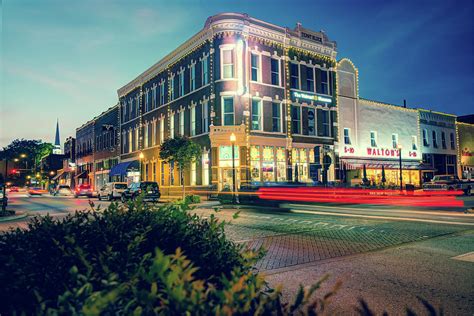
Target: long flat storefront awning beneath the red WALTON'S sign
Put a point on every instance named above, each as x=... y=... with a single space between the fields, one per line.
x=353 y=164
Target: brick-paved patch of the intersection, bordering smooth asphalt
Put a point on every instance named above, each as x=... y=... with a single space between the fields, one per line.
x=289 y=241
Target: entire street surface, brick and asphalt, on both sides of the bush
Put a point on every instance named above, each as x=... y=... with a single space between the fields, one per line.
x=386 y=254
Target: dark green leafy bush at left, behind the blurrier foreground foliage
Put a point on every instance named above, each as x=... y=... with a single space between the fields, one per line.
x=35 y=263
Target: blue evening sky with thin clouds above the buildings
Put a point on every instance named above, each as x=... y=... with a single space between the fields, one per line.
x=66 y=59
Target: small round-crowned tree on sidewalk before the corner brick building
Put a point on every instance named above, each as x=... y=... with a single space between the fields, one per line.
x=181 y=152
